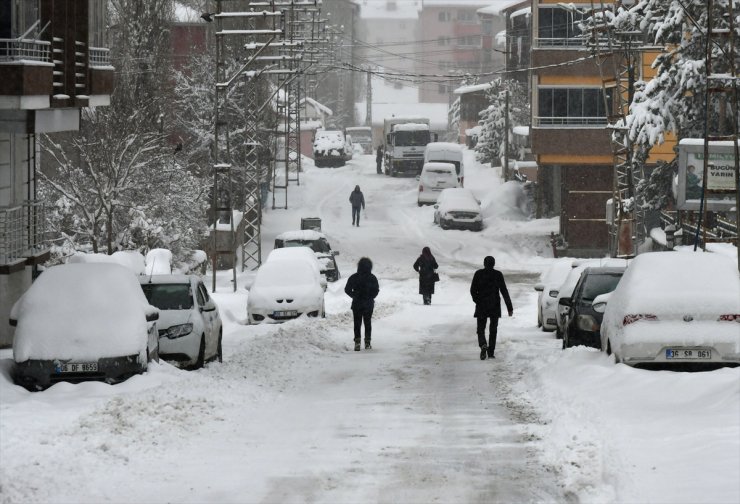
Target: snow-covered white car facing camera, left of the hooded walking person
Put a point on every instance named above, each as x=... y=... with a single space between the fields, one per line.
x=286 y=288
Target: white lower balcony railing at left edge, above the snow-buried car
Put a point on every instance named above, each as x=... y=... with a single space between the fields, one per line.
x=22 y=231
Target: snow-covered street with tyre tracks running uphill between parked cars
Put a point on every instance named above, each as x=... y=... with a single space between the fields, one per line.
x=294 y=415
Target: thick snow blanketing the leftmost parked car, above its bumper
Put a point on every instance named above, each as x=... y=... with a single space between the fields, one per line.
x=83 y=312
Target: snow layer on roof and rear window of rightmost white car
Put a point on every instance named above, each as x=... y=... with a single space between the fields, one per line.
x=688 y=282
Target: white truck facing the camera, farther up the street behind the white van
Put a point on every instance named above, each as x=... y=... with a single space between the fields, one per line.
x=404 y=141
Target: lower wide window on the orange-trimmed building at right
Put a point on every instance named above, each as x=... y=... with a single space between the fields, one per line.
x=571 y=106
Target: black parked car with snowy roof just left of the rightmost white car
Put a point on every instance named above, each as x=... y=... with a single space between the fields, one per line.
x=582 y=321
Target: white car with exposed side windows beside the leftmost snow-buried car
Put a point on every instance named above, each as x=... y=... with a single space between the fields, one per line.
x=190 y=327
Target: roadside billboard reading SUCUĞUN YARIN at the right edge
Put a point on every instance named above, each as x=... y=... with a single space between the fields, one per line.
x=720 y=180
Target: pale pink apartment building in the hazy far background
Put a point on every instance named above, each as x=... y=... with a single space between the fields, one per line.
x=449 y=45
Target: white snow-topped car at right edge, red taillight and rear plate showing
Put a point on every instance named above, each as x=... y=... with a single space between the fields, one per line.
x=675 y=308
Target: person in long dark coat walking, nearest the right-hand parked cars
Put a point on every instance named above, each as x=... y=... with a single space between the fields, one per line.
x=487 y=287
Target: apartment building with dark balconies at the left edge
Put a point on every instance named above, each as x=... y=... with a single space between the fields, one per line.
x=54 y=61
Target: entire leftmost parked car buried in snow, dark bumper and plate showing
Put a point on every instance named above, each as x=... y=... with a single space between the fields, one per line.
x=82 y=322
